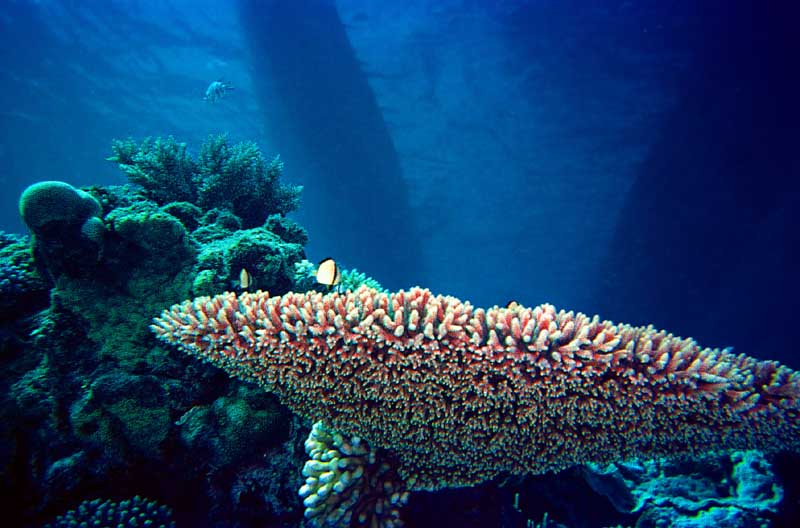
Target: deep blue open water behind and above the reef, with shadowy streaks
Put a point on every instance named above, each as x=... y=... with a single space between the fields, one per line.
x=638 y=160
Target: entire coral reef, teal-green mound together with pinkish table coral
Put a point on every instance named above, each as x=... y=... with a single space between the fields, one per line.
x=412 y=391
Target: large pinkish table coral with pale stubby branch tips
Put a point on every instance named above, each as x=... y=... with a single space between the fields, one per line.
x=459 y=395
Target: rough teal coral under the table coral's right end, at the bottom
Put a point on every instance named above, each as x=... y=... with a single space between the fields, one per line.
x=735 y=490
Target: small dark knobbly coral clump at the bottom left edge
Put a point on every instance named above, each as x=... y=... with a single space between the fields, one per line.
x=128 y=513
